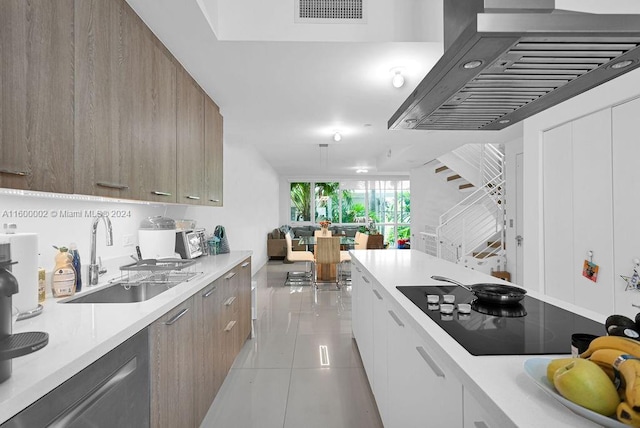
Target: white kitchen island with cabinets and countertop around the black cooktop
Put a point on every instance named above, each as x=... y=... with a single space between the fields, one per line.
x=460 y=388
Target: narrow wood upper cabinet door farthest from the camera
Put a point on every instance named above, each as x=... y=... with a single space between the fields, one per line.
x=213 y=150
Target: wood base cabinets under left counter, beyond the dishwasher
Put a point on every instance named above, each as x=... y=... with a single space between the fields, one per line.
x=194 y=345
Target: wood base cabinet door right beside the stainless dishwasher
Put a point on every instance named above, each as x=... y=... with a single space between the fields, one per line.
x=173 y=368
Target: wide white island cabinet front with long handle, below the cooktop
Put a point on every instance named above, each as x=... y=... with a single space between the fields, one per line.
x=421 y=390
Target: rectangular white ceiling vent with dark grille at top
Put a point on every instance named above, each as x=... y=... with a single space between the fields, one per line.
x=330 y=11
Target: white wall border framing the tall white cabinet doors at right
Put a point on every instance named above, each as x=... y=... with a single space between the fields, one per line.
x=609 y=94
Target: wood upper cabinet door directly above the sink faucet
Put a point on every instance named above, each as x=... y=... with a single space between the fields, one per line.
x=111 y=58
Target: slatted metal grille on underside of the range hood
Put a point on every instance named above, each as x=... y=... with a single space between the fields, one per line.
x=527 y=72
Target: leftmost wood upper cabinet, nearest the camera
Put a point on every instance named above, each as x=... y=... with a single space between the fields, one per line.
x=36 y=107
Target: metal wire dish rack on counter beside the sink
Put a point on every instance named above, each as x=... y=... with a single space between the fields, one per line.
x=160 y=272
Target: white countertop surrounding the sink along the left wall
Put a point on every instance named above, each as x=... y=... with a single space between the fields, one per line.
x=81 y=333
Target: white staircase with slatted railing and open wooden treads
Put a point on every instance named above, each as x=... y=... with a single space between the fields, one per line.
x=472 y=232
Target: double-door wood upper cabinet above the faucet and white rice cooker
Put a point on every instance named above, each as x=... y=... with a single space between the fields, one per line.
x=125 y=118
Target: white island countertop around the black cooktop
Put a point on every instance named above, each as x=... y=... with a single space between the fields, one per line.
x=498 y=382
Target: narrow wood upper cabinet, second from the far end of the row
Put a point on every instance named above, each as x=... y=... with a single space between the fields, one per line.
x=190 y=140
